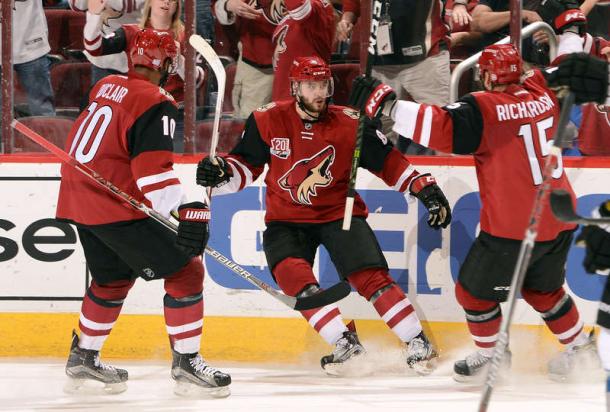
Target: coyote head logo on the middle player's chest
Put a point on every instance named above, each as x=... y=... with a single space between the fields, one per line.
x=306 y=175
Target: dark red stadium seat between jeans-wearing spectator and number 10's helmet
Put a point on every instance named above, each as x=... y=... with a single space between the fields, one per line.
x=69 y=93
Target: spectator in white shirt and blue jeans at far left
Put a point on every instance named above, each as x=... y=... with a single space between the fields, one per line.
x=30 y=60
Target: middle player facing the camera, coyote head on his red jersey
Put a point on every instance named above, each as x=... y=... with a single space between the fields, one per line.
x=308 y=147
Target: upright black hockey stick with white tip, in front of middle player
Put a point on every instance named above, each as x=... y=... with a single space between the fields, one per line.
x=351 y=186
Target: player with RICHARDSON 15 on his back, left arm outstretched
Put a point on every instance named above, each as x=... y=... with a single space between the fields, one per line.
x=507 y=128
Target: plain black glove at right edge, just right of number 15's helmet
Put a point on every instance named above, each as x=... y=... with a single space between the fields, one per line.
x=586 y=76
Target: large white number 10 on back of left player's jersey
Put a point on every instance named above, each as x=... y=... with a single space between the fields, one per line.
x=81 y=140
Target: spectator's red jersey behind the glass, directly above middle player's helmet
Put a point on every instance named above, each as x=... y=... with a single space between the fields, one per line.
x=307 y=30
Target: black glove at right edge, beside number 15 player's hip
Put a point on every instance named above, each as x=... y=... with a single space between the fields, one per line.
x=596 y=242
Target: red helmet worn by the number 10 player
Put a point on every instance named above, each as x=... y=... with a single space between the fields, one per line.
x=152 y=48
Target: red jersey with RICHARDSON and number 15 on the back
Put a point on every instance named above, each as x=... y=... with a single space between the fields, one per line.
x=508 y=133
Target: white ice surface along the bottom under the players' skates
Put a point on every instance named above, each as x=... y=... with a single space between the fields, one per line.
x=29 y=386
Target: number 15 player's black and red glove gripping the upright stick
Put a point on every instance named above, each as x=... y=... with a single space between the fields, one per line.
x=369 y=96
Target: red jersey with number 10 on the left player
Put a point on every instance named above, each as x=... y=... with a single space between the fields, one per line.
x=125 y=135
